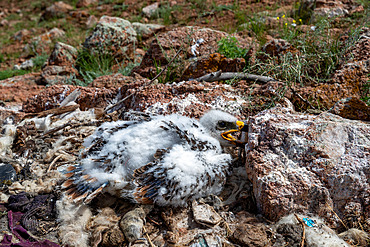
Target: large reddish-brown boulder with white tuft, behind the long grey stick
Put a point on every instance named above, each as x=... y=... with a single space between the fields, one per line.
x=164 y=47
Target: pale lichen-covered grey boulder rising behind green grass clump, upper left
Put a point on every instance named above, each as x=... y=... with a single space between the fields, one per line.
x=114 y=36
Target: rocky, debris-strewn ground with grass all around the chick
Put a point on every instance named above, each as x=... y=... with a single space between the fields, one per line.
x=296 y=72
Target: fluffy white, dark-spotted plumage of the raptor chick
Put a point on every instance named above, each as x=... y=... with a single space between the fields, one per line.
x=168 y=160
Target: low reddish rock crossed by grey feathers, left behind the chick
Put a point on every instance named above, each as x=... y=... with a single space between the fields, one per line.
x=52 y=96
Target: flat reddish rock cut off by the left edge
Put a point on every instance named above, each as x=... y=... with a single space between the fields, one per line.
x=17 y=89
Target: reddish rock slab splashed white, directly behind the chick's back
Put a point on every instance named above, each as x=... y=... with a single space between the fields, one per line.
x=189 y=98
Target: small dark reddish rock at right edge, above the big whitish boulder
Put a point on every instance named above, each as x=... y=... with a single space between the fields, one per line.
x=352 y=108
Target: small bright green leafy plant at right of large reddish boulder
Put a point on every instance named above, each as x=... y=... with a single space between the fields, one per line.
x=230 y=48
